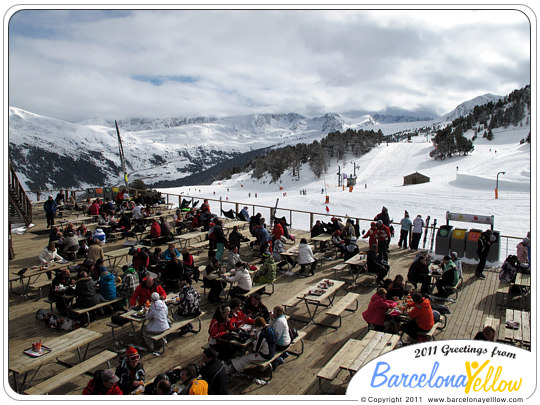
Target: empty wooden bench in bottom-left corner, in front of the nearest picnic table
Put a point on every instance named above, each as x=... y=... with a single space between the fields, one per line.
x=67 y=376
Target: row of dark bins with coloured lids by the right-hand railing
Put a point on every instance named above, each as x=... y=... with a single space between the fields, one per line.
x=464 y=242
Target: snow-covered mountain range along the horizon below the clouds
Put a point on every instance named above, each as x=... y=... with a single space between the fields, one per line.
x=51 y=154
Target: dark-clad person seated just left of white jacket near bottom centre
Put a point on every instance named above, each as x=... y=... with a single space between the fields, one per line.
x=264 y=348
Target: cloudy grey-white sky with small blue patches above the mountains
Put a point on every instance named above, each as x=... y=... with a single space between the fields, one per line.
x=81 y=64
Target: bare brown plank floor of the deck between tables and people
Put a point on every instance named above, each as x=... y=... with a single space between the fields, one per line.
x=477 y=300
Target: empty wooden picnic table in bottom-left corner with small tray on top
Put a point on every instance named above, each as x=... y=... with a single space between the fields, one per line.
x=21 y=363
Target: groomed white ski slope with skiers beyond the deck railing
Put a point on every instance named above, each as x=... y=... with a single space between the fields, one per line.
x=463 y=184
